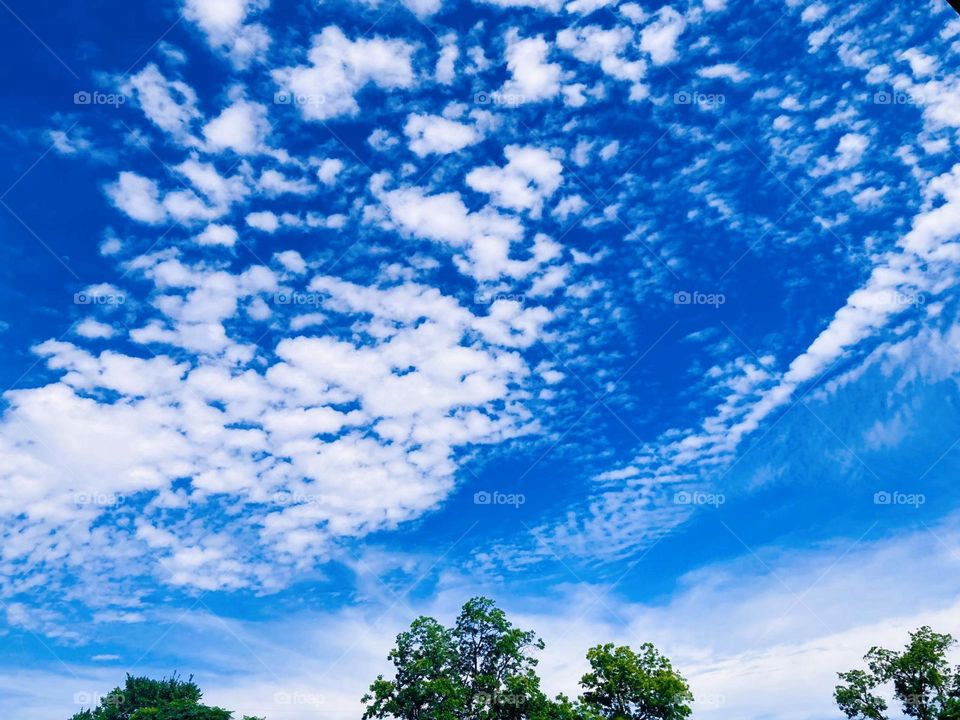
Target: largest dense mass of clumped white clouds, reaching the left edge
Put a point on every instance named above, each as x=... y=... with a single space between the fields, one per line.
x=434 y=378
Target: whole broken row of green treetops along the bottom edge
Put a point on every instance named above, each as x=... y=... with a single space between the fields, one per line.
x=485 y=668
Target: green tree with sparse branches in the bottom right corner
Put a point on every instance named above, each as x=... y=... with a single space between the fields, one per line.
x=922 y=681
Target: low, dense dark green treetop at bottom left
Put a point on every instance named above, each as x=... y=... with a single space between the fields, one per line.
x=143 y=698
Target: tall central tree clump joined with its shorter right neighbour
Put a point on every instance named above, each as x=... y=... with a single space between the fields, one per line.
x=484 y=668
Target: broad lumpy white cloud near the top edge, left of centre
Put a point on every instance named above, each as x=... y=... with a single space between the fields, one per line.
x=340 y=67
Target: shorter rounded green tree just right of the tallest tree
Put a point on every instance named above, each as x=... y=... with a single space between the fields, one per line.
x=627 y=685
